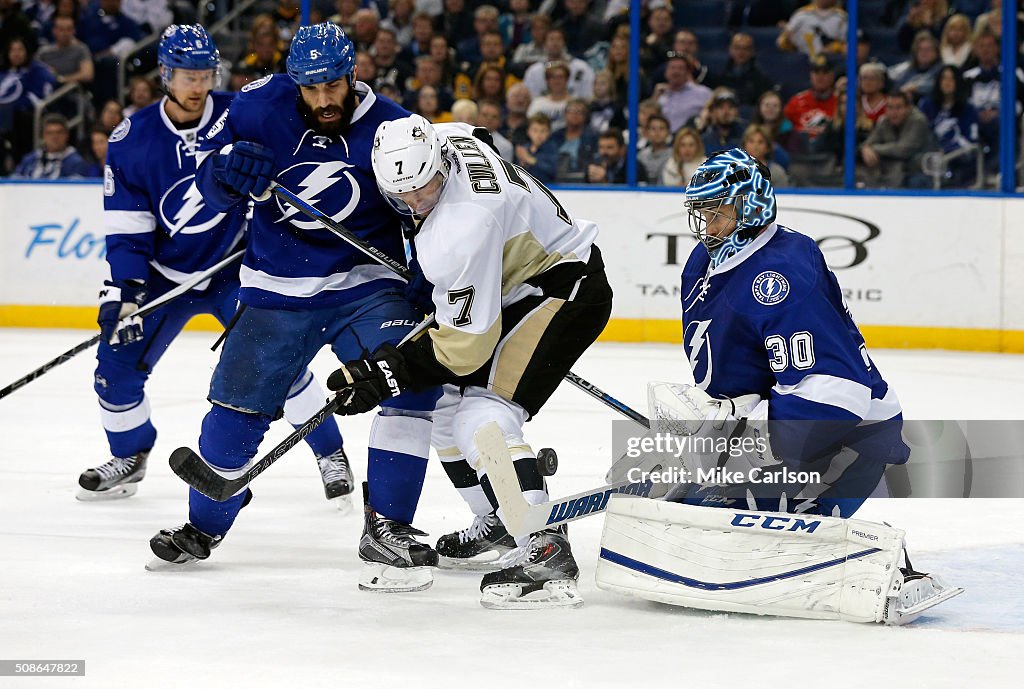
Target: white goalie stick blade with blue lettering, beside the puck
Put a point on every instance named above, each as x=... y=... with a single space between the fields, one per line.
x=522 y=519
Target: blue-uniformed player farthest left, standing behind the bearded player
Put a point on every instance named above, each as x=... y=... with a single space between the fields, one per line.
x=159 y=234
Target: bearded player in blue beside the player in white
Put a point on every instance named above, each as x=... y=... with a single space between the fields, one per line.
x=312 y=131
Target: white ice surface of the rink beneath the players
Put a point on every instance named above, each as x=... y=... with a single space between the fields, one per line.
x=278 y=606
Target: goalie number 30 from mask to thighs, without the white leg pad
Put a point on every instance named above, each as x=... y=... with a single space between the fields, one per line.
x=771 y=339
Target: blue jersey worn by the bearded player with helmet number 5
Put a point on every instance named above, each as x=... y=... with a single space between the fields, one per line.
x=291 y=262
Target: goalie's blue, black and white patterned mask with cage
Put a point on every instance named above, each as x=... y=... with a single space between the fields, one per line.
x=731 y=179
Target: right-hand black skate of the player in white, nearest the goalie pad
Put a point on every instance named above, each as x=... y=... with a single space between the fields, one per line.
x=546 y=579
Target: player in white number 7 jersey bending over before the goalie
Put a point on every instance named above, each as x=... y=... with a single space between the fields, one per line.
x=521 y=293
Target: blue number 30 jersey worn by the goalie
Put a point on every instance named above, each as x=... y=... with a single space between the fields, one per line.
x=772 y=321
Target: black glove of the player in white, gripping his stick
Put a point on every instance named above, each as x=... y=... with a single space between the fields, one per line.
x=364 y=384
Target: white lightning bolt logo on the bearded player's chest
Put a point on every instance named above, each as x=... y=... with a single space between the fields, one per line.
x=329 y=187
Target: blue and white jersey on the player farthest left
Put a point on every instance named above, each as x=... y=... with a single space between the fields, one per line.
x=155 y=218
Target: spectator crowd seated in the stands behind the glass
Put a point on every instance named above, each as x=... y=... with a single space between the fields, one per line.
x=550 y=79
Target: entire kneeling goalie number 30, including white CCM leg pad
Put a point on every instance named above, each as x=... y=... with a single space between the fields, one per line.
x=762 y=525
